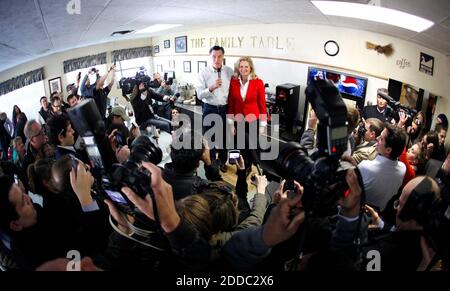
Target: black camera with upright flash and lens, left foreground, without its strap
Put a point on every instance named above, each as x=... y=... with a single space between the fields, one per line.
x=112 y=177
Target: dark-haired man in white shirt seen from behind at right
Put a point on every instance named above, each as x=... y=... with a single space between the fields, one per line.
x=383 y=176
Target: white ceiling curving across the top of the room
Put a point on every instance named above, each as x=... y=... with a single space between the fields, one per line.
x=33 y=28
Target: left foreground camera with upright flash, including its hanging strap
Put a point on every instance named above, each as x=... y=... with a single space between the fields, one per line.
x=111 y=178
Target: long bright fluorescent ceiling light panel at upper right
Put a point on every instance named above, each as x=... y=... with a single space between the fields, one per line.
x=373 y=13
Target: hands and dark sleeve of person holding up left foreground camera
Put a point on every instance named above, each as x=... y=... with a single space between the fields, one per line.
x=188 y=250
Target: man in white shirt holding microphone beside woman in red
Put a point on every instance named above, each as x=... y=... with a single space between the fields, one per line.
x=212 y=88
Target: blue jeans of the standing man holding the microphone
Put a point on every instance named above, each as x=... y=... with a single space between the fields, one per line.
x=220 y=149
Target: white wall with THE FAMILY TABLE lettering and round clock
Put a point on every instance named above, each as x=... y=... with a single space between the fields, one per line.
x=282 y=53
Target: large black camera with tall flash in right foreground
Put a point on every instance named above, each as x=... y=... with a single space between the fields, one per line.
x=321 y=175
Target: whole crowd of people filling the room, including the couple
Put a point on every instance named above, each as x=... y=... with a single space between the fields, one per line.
x=396 y=201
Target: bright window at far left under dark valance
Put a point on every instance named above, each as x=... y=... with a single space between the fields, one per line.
x=27 y=98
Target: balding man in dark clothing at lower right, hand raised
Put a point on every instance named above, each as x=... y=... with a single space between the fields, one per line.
x=418 y=213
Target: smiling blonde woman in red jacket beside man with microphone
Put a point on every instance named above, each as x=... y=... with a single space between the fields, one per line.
x=247 y=103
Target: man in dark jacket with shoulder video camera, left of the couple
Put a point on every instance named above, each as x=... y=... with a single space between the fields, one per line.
x=141 y=100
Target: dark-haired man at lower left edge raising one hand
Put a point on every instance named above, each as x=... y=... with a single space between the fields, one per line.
x=41 y=234
